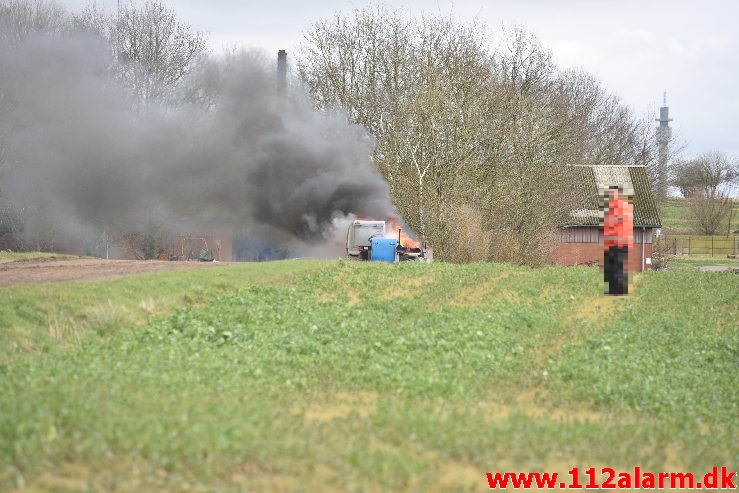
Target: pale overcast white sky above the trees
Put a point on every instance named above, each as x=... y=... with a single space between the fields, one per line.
x=638 y=48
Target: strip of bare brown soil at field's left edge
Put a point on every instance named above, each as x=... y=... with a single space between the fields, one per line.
x=76 y=269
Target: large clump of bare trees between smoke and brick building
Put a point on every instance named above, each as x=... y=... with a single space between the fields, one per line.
x=470 y=133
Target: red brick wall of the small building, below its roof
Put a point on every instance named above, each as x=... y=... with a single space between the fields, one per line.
x=582 y=252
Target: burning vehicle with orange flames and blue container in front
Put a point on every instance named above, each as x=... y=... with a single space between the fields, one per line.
x=371 y=240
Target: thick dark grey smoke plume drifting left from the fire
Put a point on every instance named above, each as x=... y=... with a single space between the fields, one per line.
x=80 y=154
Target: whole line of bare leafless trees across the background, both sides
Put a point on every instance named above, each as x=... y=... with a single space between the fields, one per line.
x=472 y=129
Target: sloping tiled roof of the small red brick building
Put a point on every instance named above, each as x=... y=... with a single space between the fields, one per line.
x=589 y=180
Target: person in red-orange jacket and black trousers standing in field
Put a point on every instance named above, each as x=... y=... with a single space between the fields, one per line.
x=618 y=240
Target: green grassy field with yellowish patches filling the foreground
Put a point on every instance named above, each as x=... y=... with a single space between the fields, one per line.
x=346 y=376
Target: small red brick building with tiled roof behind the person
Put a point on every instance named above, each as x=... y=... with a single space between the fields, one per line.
x=581 y=239
